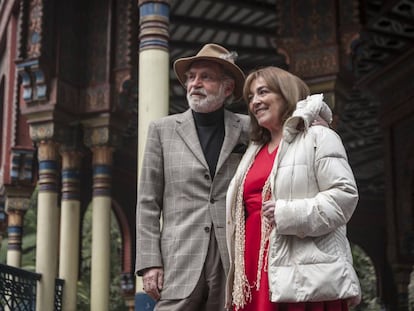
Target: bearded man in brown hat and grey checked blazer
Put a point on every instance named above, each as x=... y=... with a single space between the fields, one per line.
x=188 y=162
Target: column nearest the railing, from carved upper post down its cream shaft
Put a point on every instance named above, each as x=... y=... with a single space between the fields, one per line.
x=36 y=64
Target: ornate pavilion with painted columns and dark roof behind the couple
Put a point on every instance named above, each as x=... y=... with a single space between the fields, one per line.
x=80 y=80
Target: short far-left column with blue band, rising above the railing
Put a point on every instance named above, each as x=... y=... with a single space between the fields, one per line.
x=16 y=207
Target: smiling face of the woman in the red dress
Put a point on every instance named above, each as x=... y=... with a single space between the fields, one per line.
x=266 y=106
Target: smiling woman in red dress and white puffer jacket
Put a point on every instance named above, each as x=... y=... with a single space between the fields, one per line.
x=291 y=198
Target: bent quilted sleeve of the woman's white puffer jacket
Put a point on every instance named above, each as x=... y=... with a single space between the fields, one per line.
x=333 y=205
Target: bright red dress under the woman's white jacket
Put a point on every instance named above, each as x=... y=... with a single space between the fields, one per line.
x=252 y=196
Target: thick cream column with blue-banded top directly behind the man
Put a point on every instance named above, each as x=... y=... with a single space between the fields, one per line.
x=154 y=65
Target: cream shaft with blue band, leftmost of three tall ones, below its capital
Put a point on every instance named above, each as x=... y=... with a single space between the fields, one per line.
x=47 y=225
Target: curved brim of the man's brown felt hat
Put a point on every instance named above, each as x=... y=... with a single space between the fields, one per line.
x=182 y=65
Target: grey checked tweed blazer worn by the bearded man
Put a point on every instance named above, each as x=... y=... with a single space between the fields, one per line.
x=175 y=185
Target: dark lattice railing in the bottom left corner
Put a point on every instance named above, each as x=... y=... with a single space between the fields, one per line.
x=18 y=289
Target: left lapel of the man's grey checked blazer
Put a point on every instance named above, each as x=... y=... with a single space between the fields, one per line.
x=187 y=131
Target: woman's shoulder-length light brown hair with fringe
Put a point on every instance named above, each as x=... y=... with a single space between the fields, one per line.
x=290 y=87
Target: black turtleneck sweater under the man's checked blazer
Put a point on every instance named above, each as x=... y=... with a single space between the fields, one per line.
x=210 y=129
